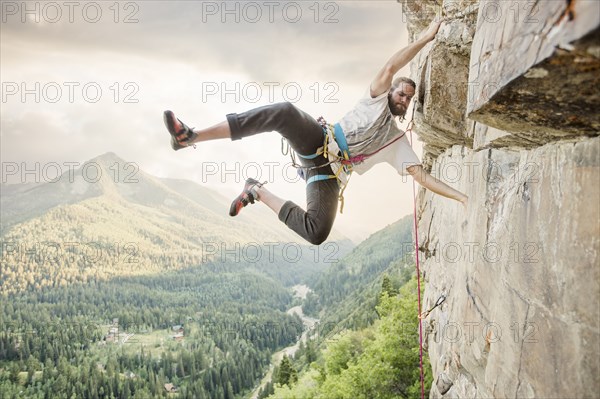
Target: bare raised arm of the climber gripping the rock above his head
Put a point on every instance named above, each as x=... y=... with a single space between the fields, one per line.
x=383 y=80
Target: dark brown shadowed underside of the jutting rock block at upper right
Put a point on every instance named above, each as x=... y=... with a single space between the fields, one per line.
x=555 y=100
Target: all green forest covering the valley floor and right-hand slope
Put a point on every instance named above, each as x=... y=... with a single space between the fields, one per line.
x=210 y=331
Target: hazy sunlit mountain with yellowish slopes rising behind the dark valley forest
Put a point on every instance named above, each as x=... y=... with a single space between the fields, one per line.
x=108 y=218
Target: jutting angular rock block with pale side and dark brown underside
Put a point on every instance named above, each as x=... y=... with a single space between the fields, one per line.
x=555 y=100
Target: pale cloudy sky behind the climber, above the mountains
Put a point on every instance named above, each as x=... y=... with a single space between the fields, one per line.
x=80 y=79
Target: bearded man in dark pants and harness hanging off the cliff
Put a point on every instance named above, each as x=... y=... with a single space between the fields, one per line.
x=370 y=131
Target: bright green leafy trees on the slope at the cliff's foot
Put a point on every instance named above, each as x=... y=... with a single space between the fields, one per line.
x=377 y=362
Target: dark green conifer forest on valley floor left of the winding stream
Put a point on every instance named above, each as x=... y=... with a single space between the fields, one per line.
x=55 y=342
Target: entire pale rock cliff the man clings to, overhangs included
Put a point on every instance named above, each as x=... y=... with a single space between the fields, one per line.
x=508 y=113
